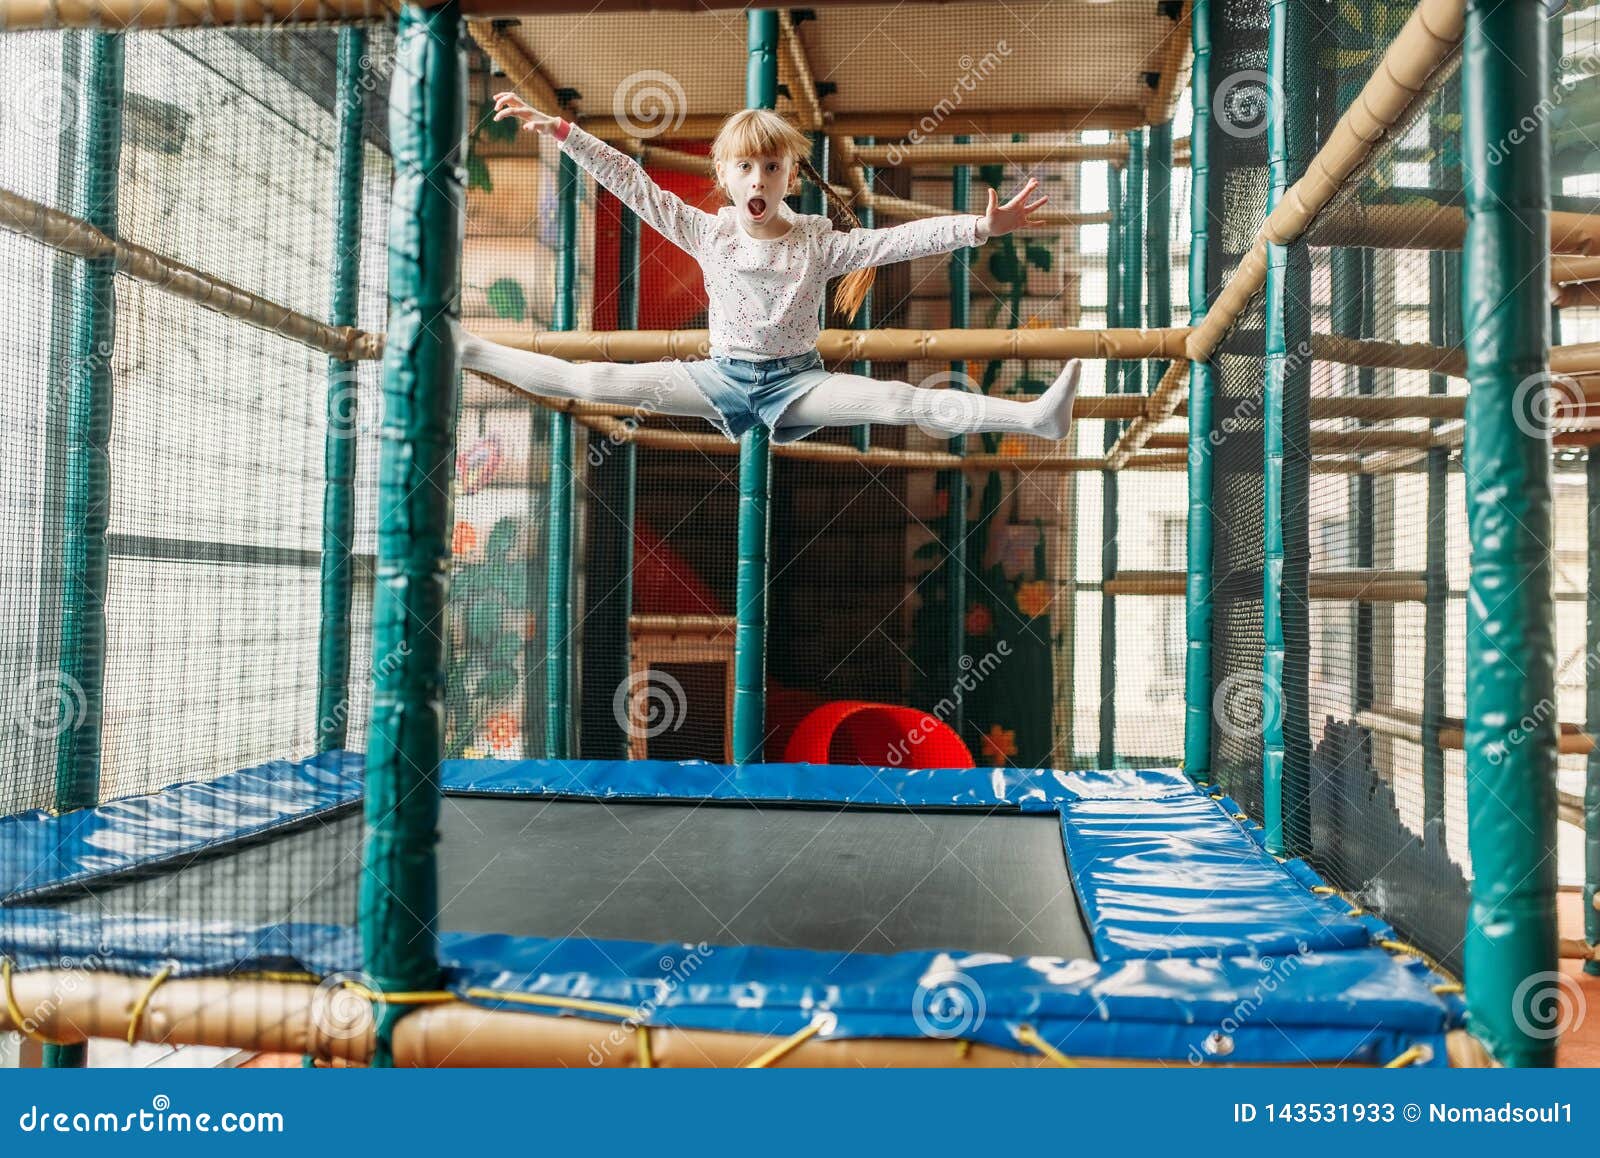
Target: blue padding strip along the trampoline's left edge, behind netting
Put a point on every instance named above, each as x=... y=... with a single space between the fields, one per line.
x=41 y=850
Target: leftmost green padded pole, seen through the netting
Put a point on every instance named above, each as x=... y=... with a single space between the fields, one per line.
x=94 y=66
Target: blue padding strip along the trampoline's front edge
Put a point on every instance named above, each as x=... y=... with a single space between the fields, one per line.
x=1354 y=1007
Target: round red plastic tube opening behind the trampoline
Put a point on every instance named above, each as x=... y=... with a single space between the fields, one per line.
x=852 y=732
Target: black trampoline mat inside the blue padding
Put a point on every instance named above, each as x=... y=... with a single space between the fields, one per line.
x=854 y=880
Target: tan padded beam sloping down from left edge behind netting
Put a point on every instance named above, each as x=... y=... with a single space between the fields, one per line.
x=70 y=234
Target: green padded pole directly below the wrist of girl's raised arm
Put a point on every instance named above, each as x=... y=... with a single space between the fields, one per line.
x=564 y=492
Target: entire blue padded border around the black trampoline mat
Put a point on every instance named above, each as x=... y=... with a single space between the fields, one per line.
x=1198 y=928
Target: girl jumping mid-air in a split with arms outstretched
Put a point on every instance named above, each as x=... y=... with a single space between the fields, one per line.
x=766 y=276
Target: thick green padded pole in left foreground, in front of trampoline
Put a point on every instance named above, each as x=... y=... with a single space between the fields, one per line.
x=428 y=118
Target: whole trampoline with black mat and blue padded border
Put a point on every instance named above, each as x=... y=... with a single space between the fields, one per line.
x=654 y=912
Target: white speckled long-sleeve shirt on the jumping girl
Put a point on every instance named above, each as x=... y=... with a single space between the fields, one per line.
x=766 y=295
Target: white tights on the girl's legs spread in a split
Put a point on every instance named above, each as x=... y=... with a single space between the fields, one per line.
x=838 y=401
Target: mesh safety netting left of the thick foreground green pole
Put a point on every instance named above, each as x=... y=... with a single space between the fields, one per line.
x=201 y=445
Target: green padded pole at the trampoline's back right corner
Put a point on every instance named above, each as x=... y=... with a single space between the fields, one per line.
x=1202 y=388
